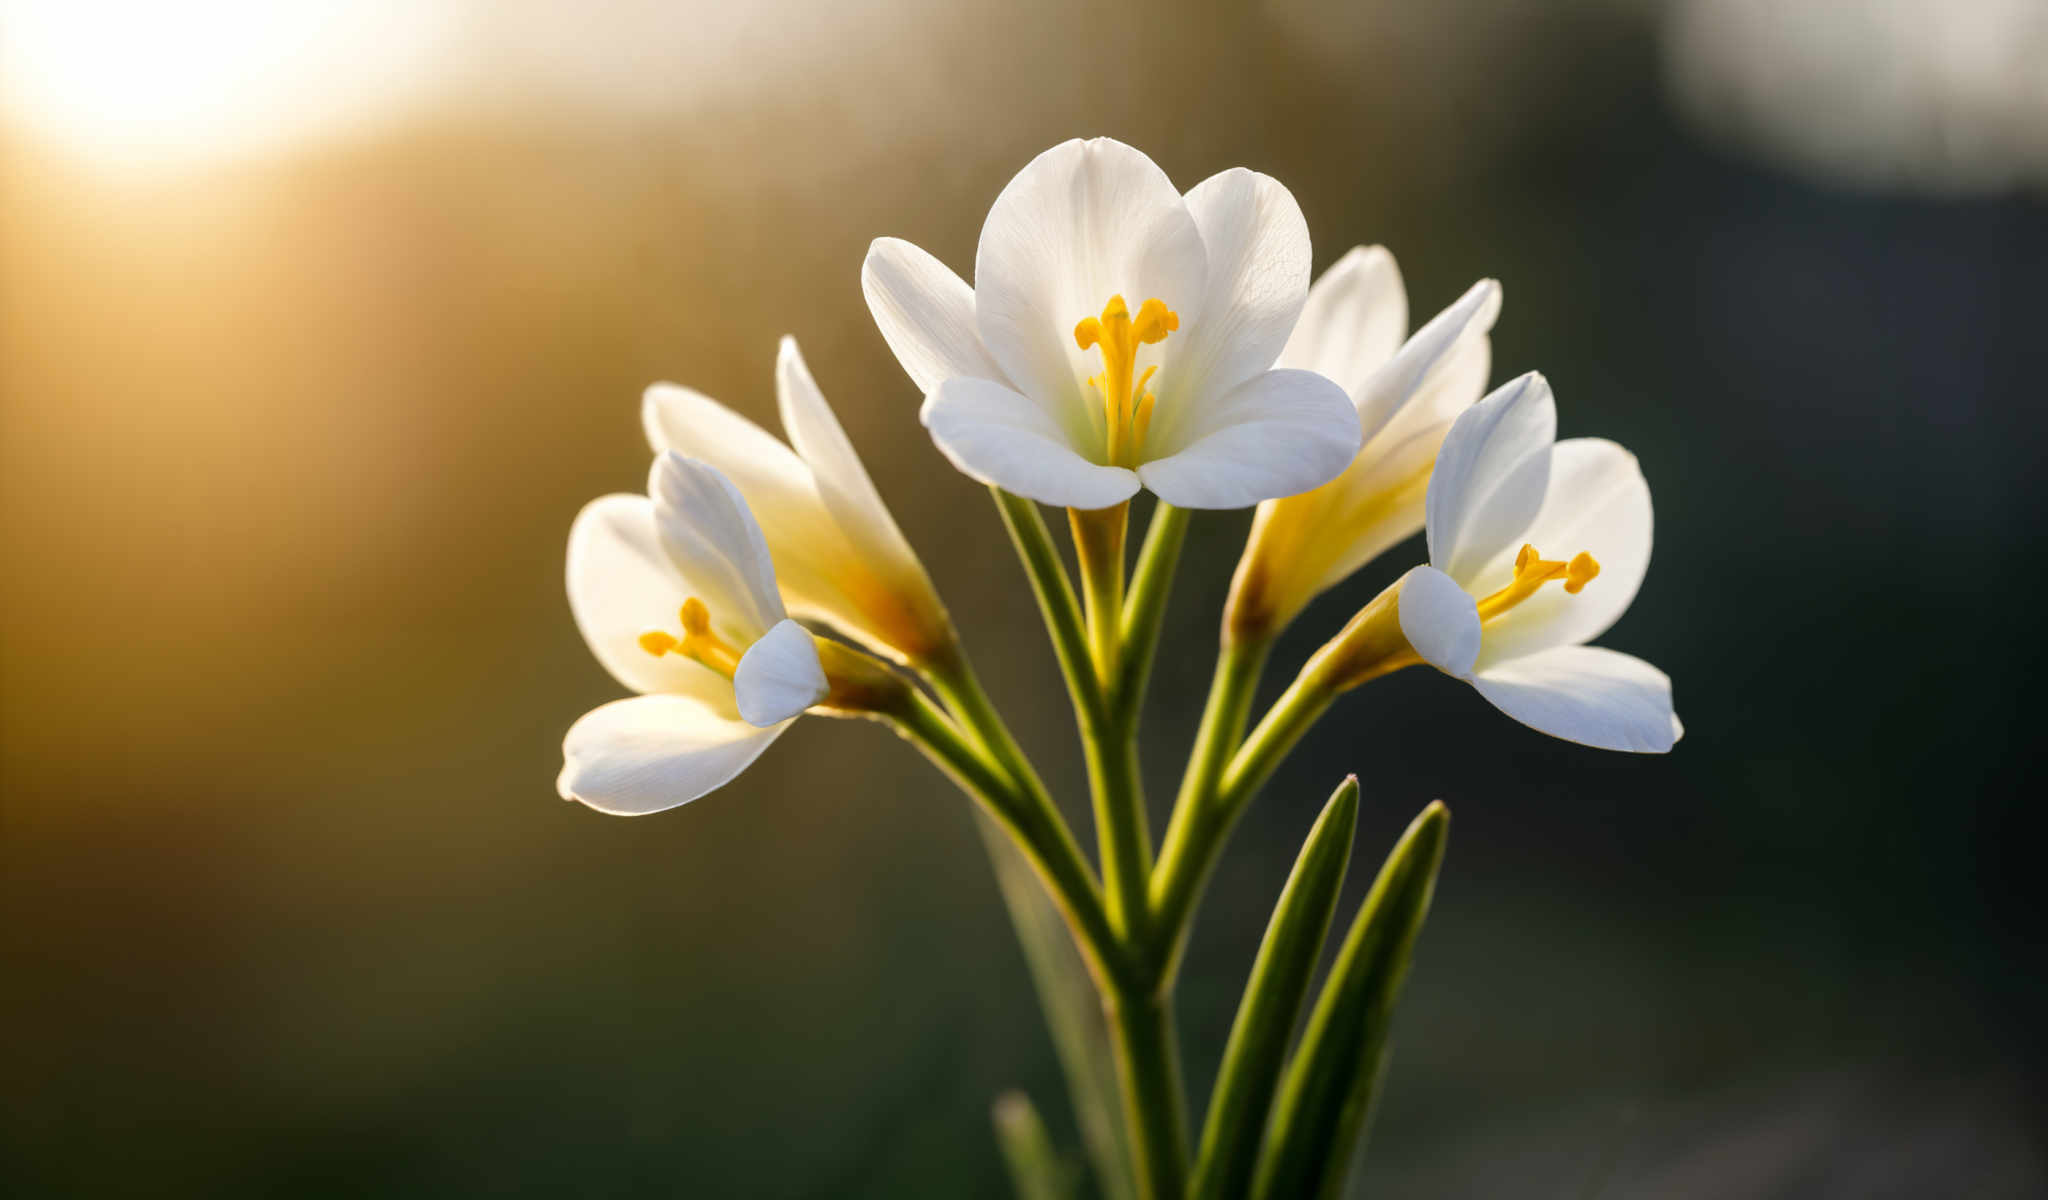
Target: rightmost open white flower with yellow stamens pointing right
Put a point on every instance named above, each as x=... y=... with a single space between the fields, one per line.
x=1537 y=550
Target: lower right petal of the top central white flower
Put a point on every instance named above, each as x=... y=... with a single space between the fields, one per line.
x=1275 y=435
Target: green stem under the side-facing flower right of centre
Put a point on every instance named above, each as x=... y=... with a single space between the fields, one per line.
x=1199 y=824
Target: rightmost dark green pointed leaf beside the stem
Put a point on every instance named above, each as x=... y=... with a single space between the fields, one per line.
x=1336 y=1072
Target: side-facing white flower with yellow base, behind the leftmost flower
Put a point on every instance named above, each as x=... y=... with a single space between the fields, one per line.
x=839 y=554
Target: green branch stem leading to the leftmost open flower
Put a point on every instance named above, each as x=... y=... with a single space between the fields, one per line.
x=1037 y=830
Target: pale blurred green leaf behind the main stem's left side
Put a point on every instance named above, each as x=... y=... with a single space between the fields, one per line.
x=1072 y=1013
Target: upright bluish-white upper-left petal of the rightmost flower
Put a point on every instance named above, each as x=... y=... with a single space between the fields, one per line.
x=1490 y=476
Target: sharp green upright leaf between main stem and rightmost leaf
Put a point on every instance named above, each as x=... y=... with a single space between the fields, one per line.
x=1273 y=1000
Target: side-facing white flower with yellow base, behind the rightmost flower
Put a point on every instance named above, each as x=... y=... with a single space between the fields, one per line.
x=1406 y=392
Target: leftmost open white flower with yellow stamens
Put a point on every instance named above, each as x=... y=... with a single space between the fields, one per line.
x=677 y=597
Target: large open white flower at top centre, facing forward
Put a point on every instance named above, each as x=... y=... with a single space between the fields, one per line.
x=1119 y=335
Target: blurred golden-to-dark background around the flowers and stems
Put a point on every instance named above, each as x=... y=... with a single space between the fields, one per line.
x=304 y=382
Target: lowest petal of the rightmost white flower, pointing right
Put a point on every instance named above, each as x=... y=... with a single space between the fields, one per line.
x=1586 y=695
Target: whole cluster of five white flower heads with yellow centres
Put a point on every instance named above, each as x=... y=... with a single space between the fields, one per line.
x=1119 y=337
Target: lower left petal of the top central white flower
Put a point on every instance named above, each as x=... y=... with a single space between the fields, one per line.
x=1009 y=441
